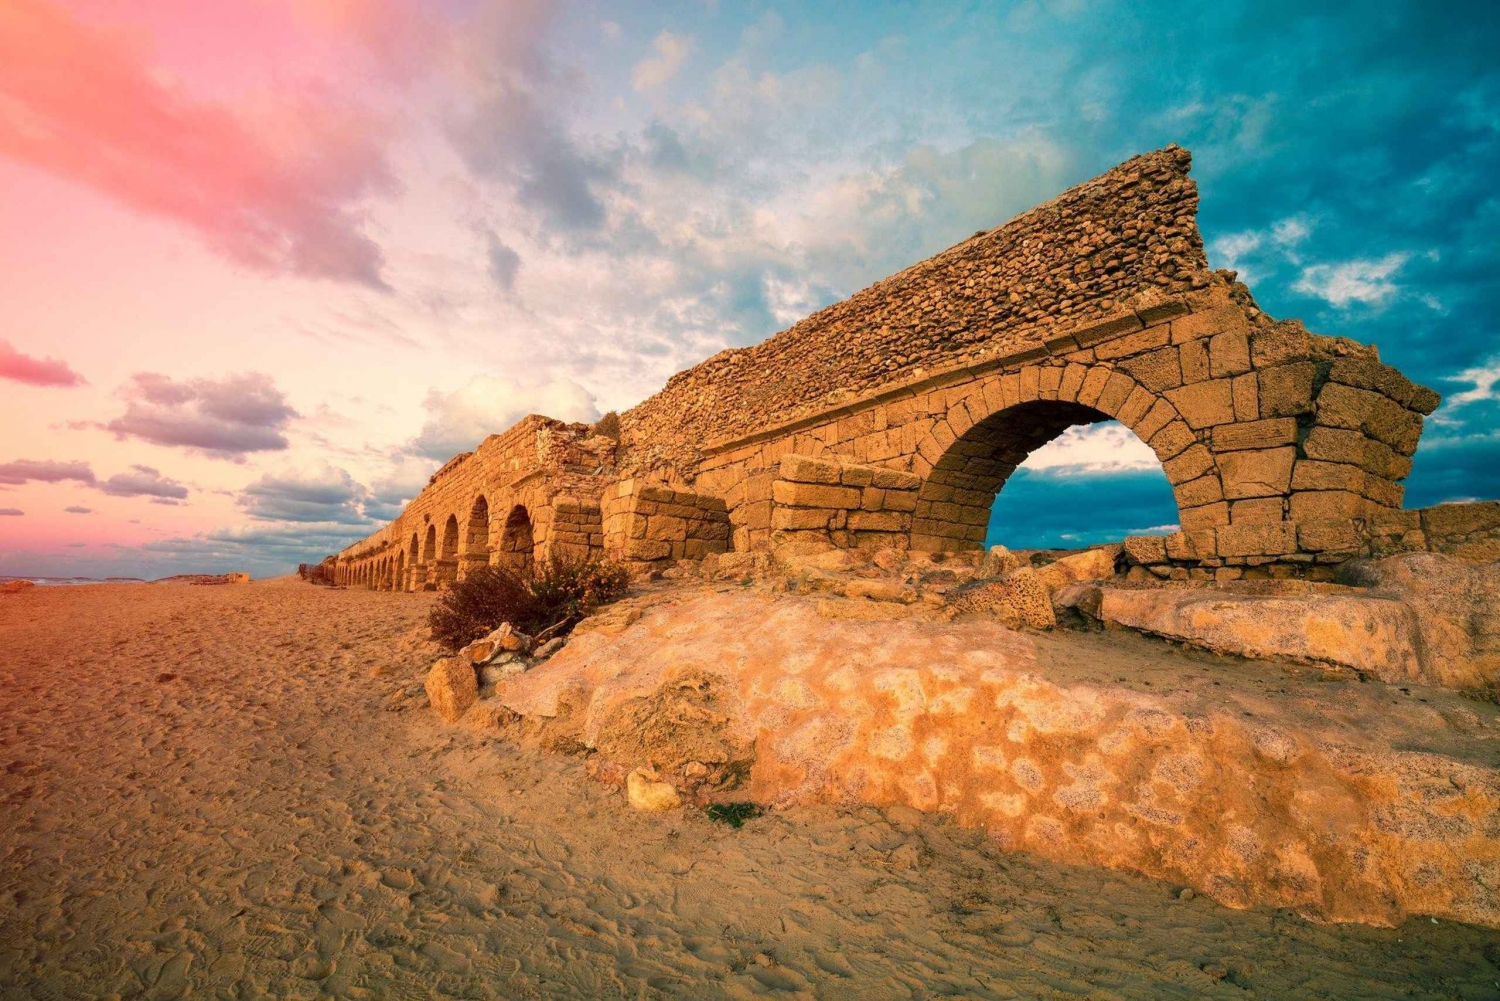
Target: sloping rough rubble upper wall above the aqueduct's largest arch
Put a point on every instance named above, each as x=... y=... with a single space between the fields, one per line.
x=1127 y=233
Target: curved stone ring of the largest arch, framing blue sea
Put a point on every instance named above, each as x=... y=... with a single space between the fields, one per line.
x=988 y=431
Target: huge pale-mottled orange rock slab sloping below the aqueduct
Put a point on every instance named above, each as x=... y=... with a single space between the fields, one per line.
x=1256 y=787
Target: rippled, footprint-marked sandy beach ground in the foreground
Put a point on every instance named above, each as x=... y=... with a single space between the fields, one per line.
x=203 y=795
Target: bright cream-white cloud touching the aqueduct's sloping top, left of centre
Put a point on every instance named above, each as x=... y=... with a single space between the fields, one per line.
x=490 y=404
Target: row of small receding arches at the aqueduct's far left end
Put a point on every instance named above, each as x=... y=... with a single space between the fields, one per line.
x=433 y=556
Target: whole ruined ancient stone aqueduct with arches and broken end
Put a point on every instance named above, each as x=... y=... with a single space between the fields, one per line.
x=895 y=418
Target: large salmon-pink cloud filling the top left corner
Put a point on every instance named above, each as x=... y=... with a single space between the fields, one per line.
x=274 y=184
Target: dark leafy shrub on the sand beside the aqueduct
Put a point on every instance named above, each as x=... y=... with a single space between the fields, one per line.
x=553 y=594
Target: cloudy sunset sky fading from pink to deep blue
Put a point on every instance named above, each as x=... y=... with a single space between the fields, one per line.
x=268 y=263
